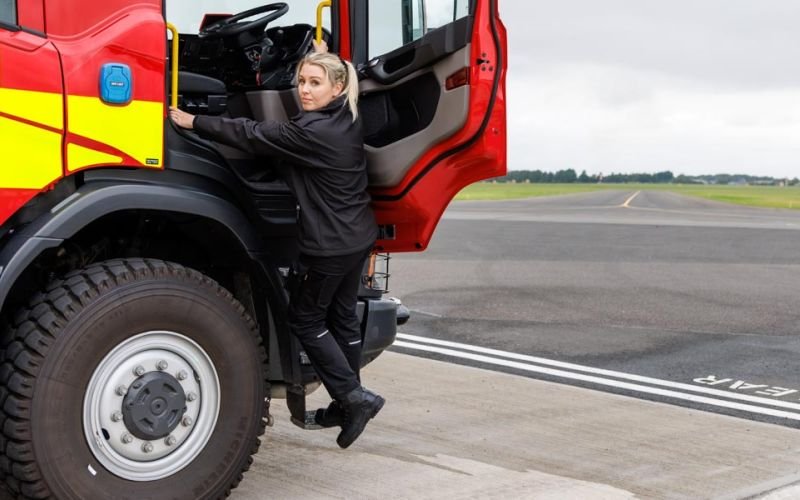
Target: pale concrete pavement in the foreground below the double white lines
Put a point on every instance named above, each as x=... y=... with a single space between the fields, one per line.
x=450 y=431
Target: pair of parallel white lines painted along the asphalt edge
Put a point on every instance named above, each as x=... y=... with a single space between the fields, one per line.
x=599 y=376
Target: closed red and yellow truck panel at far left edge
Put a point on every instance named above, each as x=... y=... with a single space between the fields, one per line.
x=31 y=106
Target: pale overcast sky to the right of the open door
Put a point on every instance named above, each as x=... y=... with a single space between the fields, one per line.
x=691 y=86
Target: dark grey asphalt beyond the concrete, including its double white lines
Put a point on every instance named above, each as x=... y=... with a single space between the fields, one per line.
x=648 y=294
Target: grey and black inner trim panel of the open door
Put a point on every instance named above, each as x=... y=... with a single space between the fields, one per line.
x=405 y=119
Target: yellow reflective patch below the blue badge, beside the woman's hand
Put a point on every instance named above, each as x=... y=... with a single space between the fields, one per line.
x=136 y=129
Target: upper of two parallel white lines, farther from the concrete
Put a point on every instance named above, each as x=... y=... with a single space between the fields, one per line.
x=600 y=371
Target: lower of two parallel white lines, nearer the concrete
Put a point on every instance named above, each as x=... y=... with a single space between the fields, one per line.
x=601 y=381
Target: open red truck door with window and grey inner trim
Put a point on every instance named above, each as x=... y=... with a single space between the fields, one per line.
x=433 y=106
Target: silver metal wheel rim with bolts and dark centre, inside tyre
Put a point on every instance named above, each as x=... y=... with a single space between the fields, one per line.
x=151 y=405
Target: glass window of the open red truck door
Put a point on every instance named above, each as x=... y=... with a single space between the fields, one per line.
x=395 y=23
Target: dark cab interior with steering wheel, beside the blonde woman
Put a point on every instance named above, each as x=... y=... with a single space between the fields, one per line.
x=243 y=65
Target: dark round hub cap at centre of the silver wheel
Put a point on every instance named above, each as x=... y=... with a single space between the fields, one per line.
x=154 y=405
